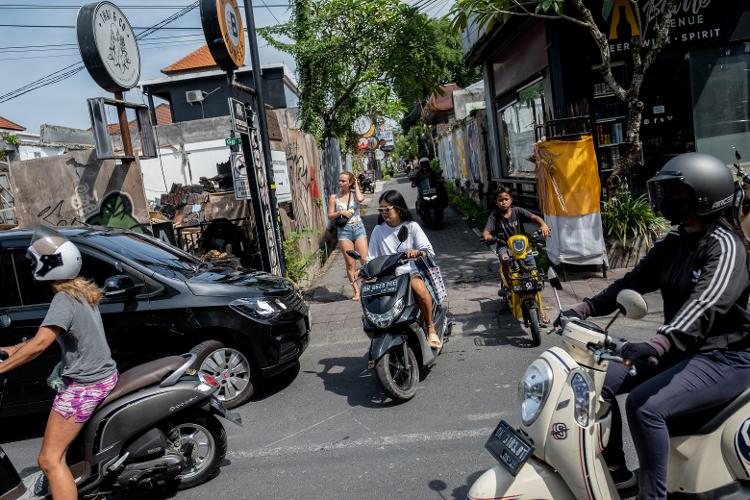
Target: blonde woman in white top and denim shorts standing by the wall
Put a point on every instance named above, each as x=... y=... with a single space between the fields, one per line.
x=343 y=210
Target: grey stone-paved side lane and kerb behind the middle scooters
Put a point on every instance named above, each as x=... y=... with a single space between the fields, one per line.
x=471 y=273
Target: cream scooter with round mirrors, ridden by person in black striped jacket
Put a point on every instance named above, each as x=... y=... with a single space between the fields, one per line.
x=556 y=451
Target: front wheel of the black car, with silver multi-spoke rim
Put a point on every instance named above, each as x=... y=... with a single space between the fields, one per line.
x=236 y=374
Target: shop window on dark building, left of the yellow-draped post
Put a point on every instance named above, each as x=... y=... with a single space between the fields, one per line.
x=522 y=126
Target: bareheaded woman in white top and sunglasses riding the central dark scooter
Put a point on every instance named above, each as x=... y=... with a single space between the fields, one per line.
x=384 y=241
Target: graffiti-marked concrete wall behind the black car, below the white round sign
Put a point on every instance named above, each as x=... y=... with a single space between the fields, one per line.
x=73 y=188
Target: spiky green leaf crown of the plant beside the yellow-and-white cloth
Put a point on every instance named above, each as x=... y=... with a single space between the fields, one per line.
x=625 y=217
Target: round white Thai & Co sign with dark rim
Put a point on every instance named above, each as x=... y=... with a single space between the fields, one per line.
x=108 y=46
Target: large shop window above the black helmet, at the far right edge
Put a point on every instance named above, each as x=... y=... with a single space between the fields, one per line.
x=720 y=81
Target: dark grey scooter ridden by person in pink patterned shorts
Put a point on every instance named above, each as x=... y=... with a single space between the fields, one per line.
x=157 y=427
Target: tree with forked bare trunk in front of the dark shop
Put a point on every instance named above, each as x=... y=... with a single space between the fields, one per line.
x=645 y=47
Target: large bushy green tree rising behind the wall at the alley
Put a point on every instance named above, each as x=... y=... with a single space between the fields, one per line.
x=358 y=57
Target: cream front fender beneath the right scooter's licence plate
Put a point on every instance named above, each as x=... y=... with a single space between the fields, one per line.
x=534 y=480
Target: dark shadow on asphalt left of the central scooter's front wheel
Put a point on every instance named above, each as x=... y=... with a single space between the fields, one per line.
x=350 y=377
